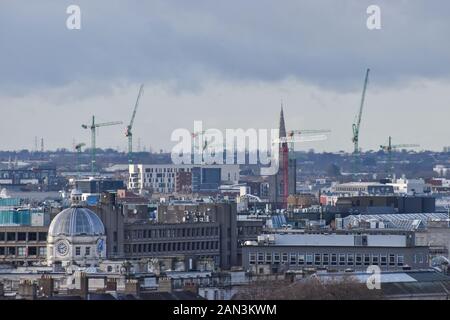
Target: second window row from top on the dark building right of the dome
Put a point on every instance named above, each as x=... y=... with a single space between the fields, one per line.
x=171 y=246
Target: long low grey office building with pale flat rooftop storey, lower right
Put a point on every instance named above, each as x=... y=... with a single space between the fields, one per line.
x=278 y=253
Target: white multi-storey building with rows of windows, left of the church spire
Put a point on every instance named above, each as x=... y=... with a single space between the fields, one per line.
x=161 y=178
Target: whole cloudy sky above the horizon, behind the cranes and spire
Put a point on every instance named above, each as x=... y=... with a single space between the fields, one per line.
x=227 y=63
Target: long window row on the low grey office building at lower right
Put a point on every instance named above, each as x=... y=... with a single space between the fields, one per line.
x=333 y=259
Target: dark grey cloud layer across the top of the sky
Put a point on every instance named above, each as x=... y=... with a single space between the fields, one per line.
x=187 y=42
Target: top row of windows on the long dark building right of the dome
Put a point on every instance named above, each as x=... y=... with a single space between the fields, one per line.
x=171 y=233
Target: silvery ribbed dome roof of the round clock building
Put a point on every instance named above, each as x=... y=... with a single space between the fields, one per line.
x=76 y=221
